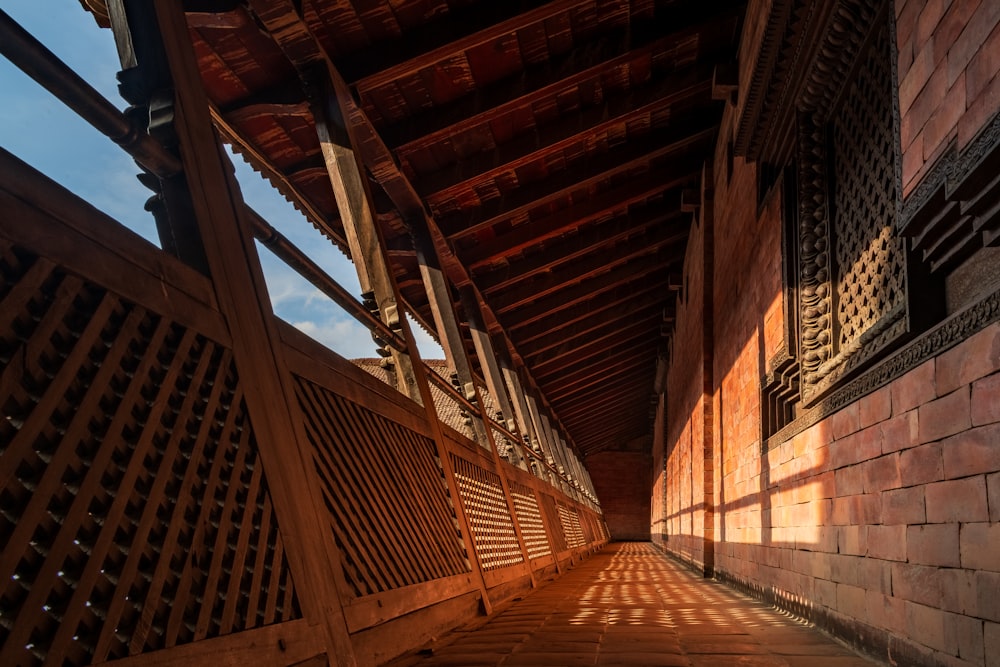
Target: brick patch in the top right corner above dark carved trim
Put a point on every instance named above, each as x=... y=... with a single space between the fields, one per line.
x=949 y=56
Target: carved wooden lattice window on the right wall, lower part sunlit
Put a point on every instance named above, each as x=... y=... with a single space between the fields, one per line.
x=852 y=292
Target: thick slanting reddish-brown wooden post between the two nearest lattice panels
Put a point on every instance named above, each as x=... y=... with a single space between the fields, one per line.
x=244 y=302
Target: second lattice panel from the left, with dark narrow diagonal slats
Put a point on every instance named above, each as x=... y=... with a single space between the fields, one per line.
x=385 y=493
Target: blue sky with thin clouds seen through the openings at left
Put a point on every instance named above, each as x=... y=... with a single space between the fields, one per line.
x=40 y=130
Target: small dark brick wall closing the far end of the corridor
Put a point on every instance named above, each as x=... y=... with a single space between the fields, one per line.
x=623 y=482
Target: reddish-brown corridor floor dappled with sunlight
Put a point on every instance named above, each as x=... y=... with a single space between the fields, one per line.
x=630 y=605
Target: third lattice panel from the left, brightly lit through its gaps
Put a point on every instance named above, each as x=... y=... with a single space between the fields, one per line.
x=492 y=526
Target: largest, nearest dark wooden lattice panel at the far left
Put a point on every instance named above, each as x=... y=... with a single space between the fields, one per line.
x=135 y=512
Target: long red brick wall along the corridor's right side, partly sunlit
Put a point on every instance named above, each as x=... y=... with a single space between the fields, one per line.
x=881 y=521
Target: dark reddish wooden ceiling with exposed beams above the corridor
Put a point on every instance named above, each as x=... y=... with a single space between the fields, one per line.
x=550 y=147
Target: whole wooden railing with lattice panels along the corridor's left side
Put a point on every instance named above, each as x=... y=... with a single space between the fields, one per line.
x=145 y=520
